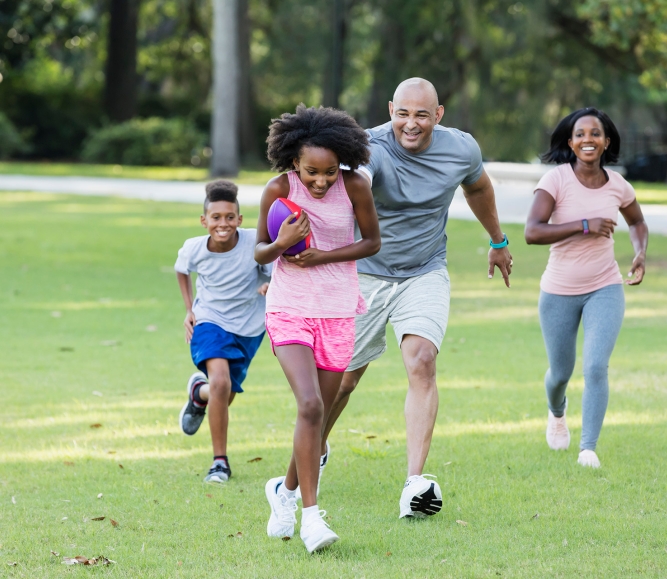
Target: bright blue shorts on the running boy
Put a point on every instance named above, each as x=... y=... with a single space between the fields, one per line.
x=211 y=341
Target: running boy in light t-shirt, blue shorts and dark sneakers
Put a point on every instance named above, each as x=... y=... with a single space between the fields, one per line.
x=224 y=325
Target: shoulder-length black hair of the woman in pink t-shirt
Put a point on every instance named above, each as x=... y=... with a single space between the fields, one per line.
x=559 y=152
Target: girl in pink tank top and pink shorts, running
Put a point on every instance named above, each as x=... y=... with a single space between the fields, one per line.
x=314 y=295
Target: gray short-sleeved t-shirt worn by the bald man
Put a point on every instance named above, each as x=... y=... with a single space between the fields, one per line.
x=412 y=194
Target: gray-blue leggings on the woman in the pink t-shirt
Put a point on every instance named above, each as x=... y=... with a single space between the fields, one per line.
x=602 y=312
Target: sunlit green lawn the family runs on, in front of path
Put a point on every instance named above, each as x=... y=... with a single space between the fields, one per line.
x=93 y=373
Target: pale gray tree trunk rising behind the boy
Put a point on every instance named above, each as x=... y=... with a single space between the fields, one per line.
x=224 y=129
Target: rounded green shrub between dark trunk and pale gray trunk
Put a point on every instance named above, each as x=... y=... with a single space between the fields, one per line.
x=153 y=141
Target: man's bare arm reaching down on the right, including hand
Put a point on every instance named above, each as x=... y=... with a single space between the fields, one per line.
x=482 y=201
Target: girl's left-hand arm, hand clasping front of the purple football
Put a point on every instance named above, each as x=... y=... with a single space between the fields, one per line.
x=267 y=251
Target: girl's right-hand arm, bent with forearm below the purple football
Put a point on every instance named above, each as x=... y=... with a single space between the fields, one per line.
x=361 y=197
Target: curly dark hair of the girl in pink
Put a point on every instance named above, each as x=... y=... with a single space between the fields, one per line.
x=316 y=127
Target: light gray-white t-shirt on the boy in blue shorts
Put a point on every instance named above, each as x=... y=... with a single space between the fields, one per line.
x=227 y=284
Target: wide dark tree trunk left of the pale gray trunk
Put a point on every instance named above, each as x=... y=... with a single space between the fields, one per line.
x=121 y=65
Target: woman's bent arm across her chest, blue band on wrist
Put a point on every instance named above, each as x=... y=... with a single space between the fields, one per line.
x=539 y=231
